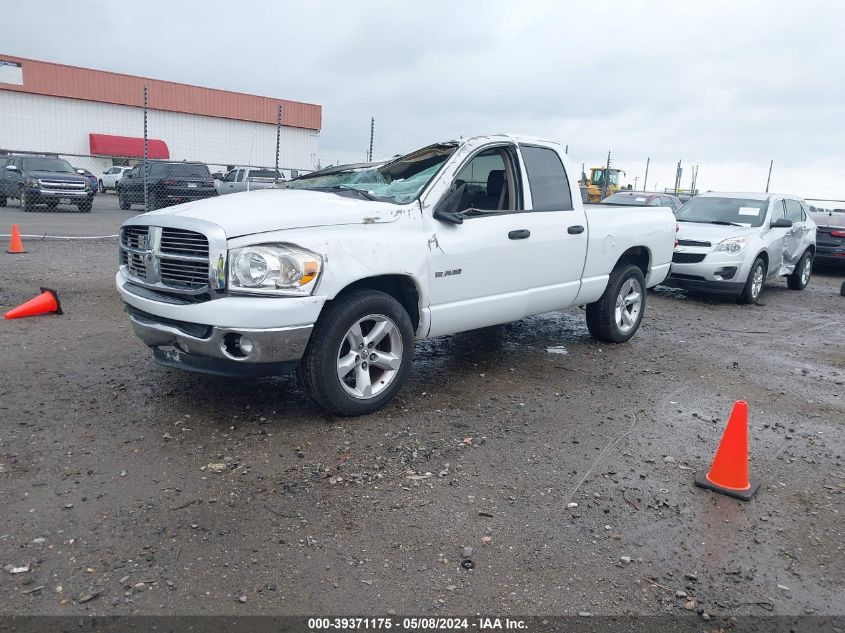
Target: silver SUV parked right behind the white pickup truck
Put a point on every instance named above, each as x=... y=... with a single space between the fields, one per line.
x=732 y=243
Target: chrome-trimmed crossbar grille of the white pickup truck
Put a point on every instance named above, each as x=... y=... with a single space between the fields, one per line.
x=166 y=258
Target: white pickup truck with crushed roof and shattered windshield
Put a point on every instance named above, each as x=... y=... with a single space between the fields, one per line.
x=338 y=280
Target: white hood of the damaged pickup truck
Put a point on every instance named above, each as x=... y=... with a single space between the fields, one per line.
x=266 y=210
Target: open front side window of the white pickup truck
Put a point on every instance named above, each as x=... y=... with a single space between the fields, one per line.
x=488 y=182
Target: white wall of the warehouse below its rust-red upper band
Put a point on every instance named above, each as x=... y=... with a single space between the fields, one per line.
x=39 y=123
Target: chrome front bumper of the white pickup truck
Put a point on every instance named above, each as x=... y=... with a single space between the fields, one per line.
x=278 y=345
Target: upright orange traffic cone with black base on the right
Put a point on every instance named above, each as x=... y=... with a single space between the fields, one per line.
x=729 y=472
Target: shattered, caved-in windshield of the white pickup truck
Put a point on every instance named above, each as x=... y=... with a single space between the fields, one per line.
x=400 y=180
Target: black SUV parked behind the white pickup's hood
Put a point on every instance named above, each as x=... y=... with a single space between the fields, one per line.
x=167 y=183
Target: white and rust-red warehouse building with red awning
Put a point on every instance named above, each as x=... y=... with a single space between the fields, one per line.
x=95 y=120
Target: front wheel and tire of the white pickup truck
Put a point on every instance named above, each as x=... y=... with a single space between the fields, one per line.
x=333 y=340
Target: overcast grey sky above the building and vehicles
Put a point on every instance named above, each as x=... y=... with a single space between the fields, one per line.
x=727 y=86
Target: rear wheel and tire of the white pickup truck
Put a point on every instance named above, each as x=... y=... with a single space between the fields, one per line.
x=617 y=315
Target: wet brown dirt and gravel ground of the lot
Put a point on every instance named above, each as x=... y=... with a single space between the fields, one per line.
x=111 y=506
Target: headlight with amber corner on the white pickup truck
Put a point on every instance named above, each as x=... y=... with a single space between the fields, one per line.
x=273 y=269
